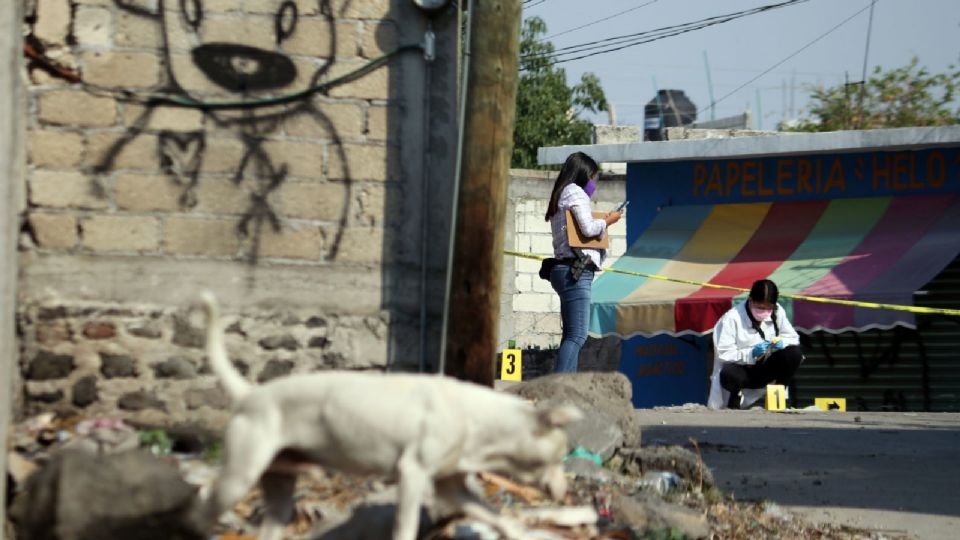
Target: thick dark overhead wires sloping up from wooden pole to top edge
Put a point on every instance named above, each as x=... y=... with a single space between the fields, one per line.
x=617 y=43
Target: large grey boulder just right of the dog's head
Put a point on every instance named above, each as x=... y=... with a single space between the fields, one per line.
x=604 y=397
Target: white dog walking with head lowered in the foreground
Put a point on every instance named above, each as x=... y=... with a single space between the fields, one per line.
x=429 y=432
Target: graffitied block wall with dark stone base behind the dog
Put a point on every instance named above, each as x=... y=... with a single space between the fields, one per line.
x=301 y=216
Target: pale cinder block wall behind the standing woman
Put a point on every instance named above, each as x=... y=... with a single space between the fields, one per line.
x=530 y=309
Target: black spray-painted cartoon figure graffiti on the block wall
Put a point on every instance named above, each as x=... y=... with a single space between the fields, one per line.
x=220 y=70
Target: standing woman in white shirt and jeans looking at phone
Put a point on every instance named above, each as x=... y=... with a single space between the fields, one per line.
x=572 y=276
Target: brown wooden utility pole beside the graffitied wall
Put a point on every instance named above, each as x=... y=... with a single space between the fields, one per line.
x=474 y=287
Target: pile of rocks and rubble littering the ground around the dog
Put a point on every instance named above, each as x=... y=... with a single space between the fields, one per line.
x=86 y=478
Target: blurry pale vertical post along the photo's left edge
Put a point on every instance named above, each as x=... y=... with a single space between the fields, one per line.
x=11 y=168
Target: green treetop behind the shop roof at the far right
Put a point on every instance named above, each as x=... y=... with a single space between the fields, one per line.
x=902 y=97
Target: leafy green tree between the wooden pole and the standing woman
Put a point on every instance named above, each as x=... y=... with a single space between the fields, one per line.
x=547 y=109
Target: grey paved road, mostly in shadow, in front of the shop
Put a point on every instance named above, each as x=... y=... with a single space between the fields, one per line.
x=897 y=472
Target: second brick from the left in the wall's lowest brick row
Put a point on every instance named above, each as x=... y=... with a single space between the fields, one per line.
x=111 y=233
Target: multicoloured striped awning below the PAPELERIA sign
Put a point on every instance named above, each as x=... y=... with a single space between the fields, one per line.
x=877 y=249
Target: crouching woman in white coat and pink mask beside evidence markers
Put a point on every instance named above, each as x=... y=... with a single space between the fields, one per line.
x=754 y=345
